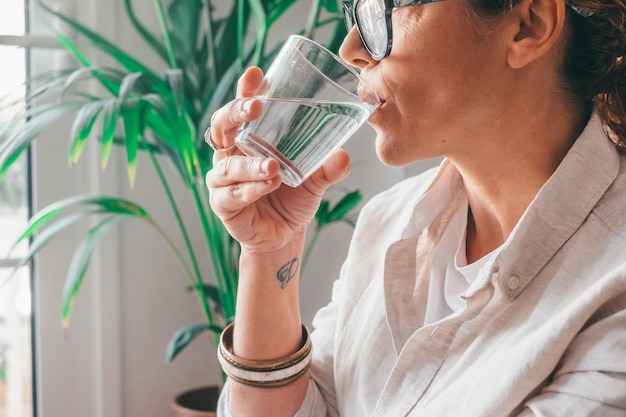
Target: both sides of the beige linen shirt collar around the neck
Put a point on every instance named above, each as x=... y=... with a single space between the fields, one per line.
x=557 y=211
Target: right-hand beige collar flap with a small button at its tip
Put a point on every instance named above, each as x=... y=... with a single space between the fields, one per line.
x=559 y=209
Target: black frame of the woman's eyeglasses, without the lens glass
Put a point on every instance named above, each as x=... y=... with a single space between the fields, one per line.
x=350 y=18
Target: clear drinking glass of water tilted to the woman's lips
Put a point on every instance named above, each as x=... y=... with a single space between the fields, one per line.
x=313 y=101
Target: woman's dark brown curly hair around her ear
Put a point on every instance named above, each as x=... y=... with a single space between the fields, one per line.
x=593 y=64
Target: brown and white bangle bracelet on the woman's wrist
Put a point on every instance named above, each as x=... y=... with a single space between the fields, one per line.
x=264 y=373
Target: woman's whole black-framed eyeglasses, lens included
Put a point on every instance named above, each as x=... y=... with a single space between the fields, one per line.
x=373 y=21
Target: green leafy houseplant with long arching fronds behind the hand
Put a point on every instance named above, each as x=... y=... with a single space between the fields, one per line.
x=164 y=116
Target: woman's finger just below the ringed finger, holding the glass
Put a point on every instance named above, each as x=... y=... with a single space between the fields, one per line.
x=237 y=169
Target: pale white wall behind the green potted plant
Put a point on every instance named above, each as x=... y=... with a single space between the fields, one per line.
x=110 y=362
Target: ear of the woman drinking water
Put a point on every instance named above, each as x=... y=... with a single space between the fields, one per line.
x=536 y=27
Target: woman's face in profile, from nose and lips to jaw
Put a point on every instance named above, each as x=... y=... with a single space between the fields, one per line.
x=440 y=84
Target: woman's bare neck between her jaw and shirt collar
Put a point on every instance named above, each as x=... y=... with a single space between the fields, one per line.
x=502 y=181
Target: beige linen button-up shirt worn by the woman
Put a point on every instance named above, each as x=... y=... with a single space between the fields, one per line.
x=544 y=336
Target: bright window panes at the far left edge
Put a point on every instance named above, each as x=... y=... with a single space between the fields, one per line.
x=16 y=382
